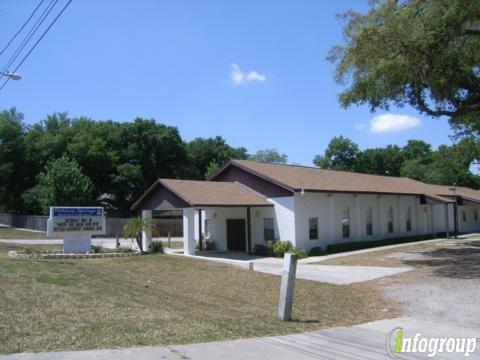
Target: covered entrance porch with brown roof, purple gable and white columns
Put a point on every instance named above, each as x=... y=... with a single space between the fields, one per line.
x=227 y=215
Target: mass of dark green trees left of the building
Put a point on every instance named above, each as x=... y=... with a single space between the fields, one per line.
x=121 y=159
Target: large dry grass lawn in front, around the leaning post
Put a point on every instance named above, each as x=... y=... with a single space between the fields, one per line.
x=50 y=305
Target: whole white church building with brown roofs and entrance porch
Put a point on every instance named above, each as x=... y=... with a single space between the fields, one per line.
x=248 y=203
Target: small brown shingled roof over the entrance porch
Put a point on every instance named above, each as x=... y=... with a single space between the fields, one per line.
x=205 y=193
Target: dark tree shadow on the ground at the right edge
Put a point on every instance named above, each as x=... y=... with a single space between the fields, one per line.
x=456 y=263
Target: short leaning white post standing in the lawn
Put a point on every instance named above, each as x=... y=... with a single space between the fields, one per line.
x=287 y=287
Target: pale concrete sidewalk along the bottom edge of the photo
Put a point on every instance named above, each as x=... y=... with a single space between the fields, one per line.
x=366 y=341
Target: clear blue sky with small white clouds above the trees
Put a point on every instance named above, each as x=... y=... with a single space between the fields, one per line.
x=251 y=71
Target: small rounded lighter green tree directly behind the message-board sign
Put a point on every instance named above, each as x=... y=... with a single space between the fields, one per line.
x=62 y=183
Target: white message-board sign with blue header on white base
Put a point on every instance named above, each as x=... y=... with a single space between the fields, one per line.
x=76 y=225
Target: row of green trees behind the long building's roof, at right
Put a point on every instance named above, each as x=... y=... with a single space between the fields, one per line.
x=447 y=165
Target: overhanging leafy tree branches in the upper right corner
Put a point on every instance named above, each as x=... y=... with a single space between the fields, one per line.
x=421 y=53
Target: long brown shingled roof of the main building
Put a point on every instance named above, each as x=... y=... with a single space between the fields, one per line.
x=296 y=178
